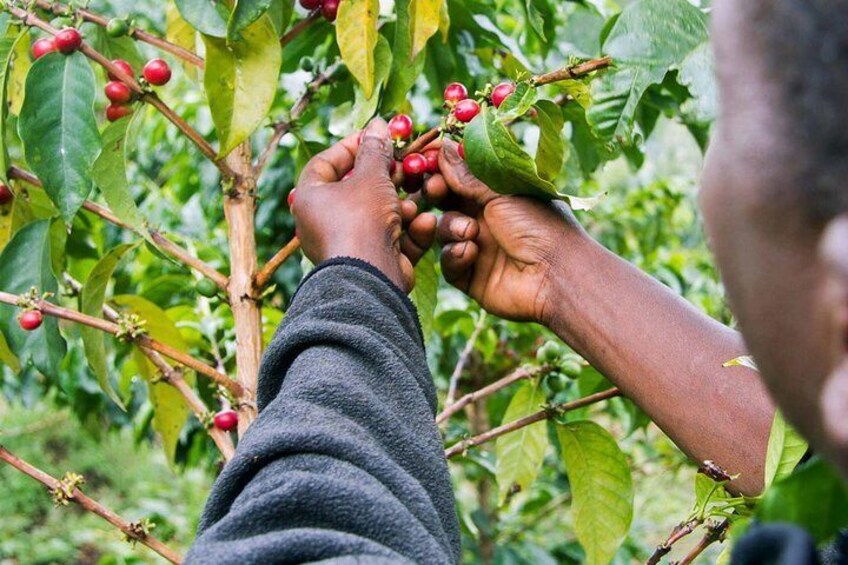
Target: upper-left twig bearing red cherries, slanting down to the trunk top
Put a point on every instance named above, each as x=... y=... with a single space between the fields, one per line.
x=28 y=19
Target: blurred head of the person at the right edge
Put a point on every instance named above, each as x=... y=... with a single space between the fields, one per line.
x=775 y=201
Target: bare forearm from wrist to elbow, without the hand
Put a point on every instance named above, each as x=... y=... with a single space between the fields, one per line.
x=666 y=356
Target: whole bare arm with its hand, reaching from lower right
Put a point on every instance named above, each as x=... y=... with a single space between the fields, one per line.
x=527 y=260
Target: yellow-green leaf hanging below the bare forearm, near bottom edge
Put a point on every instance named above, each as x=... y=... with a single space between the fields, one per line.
x=601 y=486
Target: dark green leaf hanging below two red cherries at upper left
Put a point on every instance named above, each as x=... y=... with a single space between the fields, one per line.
x=59 y=130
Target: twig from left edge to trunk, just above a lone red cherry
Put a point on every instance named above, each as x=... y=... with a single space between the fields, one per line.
x=142 y=340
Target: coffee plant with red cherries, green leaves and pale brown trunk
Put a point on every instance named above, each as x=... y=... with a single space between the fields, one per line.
x=148 y=157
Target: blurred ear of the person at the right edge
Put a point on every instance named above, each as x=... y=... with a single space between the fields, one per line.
x=833 y=253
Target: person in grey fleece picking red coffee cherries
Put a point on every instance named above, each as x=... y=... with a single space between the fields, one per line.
x=345 y=462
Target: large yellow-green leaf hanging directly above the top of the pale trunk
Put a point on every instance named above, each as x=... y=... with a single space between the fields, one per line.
x=241 y=81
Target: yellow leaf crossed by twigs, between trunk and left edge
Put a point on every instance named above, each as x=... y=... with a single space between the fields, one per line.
x=170 y=411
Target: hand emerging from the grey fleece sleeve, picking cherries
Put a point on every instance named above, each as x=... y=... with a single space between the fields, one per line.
x=360 y=215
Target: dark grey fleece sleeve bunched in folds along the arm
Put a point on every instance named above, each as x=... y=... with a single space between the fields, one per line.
x=344 y=462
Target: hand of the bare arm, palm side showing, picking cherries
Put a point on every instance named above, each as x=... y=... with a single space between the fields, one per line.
x=501 y=250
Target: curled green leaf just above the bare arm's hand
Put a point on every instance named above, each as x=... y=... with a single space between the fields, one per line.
x=496 y=159
